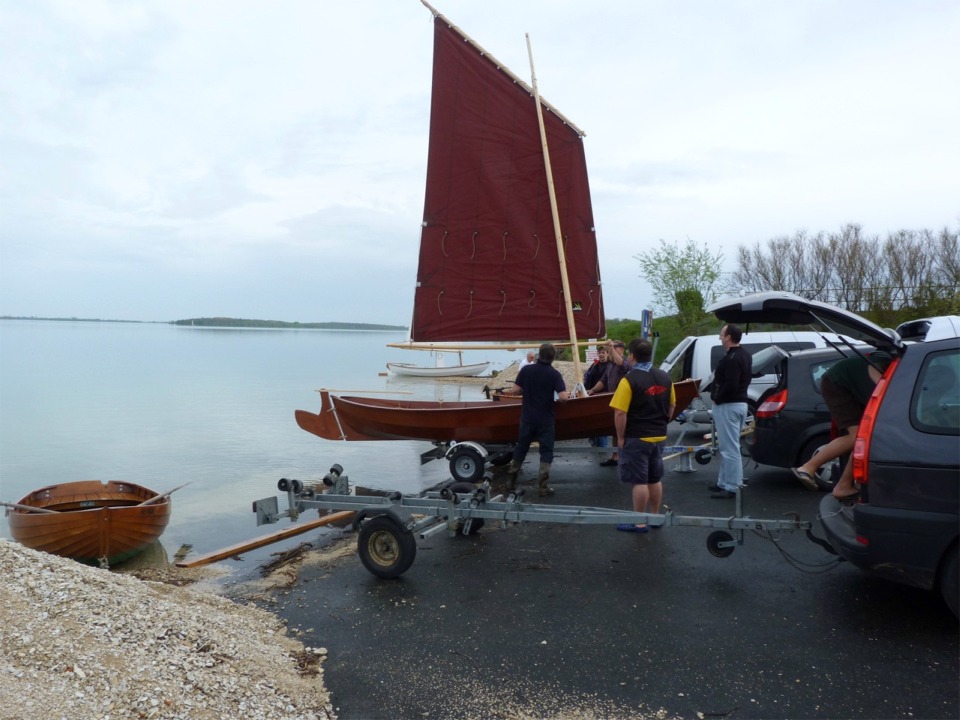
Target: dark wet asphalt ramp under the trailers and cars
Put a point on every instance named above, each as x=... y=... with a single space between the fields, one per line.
x=547 y=620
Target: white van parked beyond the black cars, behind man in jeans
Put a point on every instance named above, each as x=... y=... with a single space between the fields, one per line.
x=697 y=356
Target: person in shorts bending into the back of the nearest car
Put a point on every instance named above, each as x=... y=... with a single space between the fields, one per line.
x=846 y=387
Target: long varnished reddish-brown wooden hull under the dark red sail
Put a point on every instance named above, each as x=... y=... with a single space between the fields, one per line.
x=355 y=418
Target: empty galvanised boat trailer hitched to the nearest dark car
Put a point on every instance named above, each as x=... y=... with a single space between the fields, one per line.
x=388 y=526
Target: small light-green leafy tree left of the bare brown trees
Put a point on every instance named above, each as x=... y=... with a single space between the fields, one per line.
x=683 y=279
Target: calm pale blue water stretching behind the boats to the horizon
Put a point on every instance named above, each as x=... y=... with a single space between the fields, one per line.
x=162 y=405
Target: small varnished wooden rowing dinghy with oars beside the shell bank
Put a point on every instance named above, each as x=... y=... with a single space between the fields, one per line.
x=99 y=523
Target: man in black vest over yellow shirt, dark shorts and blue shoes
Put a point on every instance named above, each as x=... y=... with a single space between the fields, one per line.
x=643 y=405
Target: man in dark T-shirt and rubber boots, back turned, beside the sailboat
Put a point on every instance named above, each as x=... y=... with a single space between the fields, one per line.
x=538 y=383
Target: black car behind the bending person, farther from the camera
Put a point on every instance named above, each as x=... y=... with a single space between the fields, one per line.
x=792 y=421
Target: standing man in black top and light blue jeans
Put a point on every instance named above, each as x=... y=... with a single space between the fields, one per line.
x=729 y=395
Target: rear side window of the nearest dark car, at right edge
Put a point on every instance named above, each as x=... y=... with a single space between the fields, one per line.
x=935 y=407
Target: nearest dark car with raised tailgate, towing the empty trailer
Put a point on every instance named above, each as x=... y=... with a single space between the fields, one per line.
x=905 y=525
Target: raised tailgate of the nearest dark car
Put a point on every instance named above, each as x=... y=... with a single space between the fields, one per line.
x=789 y=309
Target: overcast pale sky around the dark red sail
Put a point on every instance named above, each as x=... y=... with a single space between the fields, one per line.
x=171 y=159
